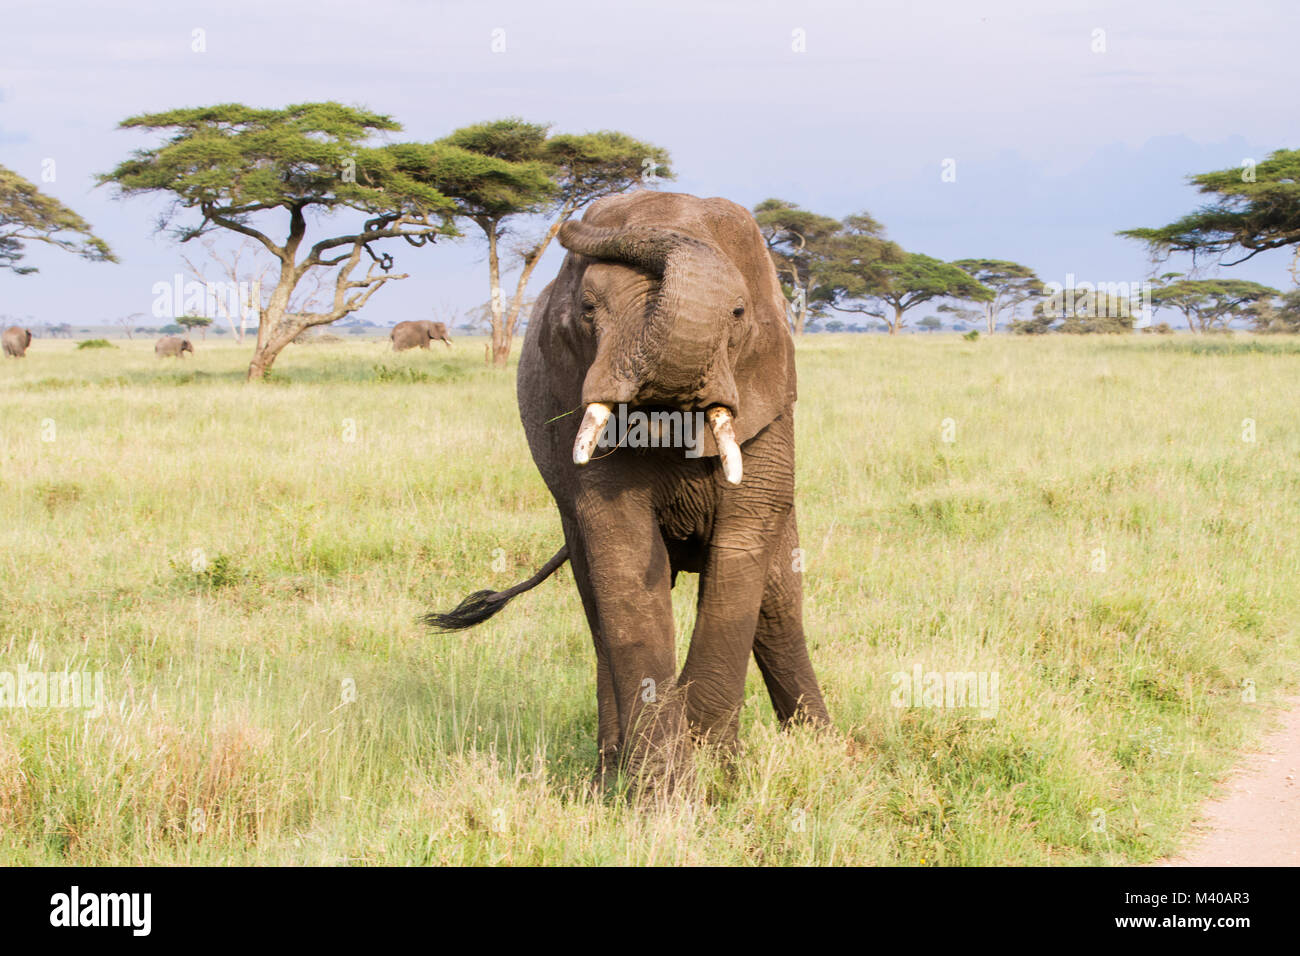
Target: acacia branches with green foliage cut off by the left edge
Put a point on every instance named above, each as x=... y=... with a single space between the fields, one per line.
x=29 y=215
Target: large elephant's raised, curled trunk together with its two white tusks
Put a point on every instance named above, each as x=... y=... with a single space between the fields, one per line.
x=679 y=356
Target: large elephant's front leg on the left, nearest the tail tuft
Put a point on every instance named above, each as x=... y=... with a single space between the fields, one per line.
x=627 y=566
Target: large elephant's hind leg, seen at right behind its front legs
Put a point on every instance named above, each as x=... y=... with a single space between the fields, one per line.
x=781 y=647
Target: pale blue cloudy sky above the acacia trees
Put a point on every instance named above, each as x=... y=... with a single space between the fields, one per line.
x=1056 y=146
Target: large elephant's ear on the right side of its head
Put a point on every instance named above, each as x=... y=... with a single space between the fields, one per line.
x=762 y=352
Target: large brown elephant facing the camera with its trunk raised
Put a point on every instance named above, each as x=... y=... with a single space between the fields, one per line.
x=669 y=305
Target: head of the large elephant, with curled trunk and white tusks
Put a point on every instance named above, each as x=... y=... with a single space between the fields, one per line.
x=686 y=315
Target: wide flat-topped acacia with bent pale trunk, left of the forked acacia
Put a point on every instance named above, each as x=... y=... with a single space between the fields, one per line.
x=239 y=168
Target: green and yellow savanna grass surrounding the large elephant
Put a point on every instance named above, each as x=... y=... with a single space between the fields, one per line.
x=245 y=566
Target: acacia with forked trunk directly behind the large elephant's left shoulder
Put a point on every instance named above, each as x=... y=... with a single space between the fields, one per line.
x=553 y=176
